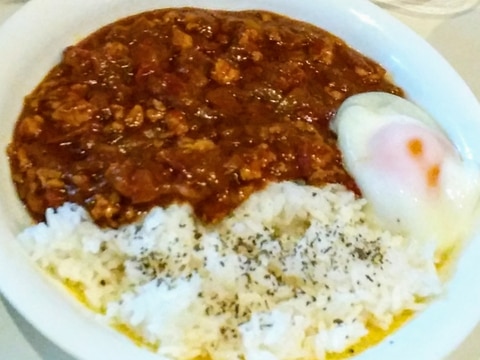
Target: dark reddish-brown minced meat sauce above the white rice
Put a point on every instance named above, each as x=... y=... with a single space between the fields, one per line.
x=186 y=105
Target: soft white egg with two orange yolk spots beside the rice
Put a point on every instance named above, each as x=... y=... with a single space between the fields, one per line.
x=413 y=177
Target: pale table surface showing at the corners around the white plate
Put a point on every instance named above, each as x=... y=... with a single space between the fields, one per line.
x=456 y=37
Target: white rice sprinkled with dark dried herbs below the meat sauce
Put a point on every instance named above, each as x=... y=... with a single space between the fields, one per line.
x=295 y=272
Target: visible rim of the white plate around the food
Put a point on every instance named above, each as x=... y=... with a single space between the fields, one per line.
x=32 y=41
